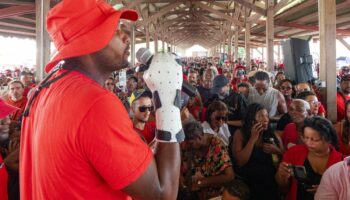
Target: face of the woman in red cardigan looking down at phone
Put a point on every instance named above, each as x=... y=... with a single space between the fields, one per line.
x=314 y=142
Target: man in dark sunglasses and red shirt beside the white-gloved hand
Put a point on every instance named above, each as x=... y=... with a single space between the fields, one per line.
x=141 y=107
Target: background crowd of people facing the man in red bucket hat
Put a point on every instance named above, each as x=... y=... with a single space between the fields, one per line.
x=250 y=133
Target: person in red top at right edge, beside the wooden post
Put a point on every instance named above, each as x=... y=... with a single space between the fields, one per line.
x=343 y=95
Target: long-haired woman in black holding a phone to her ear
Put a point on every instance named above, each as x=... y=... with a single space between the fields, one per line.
x=255 y=150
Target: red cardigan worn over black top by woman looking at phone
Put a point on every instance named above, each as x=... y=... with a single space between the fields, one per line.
x=296 y=155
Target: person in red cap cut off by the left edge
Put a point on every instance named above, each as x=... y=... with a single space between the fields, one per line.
x=5 y=111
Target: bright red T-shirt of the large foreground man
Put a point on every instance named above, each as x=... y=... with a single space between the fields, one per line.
x=79 y=143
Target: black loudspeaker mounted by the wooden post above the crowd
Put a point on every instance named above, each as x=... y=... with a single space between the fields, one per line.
x=297 y=60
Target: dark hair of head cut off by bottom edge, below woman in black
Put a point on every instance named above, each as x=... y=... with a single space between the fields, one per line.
x=238 y=189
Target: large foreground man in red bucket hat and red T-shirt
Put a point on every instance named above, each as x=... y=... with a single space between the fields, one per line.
x=77 y=139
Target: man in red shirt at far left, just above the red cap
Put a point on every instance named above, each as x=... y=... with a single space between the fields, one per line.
x=16 y=98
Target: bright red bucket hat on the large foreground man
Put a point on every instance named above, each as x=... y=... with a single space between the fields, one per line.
x=82 y=27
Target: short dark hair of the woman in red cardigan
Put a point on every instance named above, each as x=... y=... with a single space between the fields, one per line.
x=324 y=127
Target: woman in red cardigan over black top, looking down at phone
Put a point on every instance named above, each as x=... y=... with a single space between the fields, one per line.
x=313 y=157
